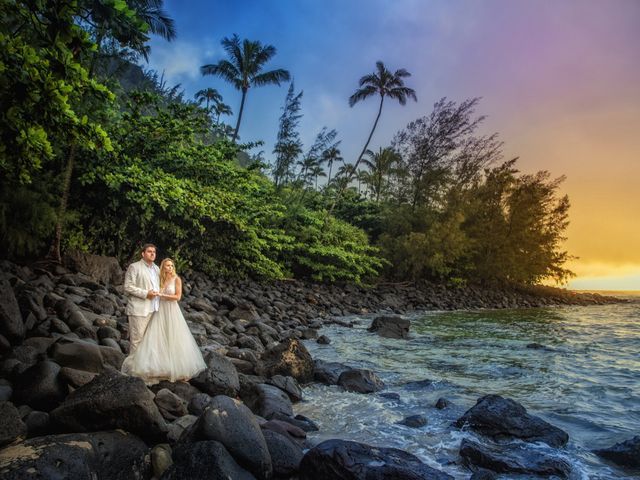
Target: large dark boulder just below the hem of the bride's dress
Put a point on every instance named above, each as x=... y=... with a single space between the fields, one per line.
x=110 y=401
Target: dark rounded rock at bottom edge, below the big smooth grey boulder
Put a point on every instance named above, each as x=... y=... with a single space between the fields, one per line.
x=204 y=461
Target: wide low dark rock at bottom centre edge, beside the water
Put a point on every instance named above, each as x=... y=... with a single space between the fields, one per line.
x=341 y=459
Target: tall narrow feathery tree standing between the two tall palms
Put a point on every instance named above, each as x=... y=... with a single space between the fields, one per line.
x=288 y=146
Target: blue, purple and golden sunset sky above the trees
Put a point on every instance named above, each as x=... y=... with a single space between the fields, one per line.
x=558 y=80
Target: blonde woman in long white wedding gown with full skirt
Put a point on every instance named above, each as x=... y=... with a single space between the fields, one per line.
x=167 y=351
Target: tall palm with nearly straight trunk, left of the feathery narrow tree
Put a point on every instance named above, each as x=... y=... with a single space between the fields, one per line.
x=243 y=69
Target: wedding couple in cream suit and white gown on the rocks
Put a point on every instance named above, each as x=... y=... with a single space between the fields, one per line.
x=162 y=347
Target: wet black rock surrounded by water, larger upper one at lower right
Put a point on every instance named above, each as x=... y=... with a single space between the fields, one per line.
x=500 y=418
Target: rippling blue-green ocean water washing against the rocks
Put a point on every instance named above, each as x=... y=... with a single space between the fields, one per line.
x=585 y=380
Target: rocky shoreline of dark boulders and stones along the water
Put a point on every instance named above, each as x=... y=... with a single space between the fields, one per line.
x=67 y=412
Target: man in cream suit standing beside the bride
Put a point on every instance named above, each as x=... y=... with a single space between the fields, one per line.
x=142 y=286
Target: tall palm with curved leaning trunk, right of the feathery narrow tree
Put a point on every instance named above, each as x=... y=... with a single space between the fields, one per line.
x=386 y=84
